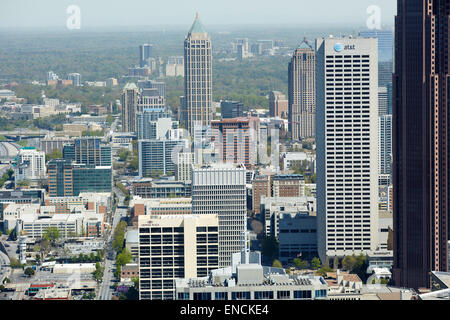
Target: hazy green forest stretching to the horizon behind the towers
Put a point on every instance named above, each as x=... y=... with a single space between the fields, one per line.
x=101 y=55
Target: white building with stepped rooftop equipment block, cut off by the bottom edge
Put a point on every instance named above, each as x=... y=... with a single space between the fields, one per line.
x=249 y=280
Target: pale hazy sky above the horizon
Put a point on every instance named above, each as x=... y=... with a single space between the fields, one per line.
x=116 y=13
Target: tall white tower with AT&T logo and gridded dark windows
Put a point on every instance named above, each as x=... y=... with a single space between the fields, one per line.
x=347 y=146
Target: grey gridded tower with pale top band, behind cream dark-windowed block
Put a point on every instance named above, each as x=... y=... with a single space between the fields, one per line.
x=220 y=189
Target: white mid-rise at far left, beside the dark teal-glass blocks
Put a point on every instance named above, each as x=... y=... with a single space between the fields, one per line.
x=30 y=165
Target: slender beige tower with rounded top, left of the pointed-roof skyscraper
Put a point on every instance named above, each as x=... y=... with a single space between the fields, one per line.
x=130 y=98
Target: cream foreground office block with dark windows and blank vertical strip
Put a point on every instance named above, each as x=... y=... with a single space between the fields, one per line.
x=175 y=246
